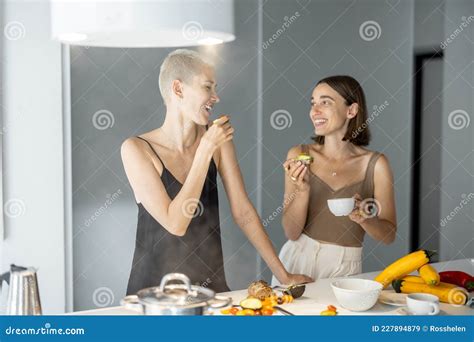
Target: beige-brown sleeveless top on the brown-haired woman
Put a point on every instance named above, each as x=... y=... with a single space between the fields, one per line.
x=321 y=224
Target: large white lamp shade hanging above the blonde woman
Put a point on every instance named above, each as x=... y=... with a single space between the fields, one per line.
x=142 y=23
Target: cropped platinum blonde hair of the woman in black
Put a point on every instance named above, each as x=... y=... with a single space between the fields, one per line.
x=181 y=64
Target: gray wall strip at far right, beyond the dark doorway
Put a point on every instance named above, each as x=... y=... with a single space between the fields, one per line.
x=457 y=185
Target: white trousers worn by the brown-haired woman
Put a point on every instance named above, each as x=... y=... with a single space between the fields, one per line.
x=319 y=260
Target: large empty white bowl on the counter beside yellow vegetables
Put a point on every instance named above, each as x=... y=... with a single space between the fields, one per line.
x=356 y=294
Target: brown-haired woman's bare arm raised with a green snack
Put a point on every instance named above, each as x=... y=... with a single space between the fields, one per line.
x=296 y=197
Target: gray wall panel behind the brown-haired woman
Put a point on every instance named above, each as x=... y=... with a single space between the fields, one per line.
x=328 y=33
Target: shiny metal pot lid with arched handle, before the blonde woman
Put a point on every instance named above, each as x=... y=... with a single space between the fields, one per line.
x=182 y=295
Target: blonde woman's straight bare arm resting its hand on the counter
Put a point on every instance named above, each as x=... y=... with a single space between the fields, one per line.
x=246 y=216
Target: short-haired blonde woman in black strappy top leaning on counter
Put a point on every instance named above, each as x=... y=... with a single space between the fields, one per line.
x=172 y=171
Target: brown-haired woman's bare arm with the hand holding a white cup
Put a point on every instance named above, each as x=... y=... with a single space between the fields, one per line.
x=382 y=226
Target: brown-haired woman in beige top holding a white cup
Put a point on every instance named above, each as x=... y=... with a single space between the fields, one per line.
x=320 y=244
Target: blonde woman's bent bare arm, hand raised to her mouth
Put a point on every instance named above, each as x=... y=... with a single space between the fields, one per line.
x=142 y=172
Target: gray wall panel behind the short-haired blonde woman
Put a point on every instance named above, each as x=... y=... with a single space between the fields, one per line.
x=125 y=83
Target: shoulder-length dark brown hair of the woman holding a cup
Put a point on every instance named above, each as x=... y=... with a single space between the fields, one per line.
x=358 y=129
